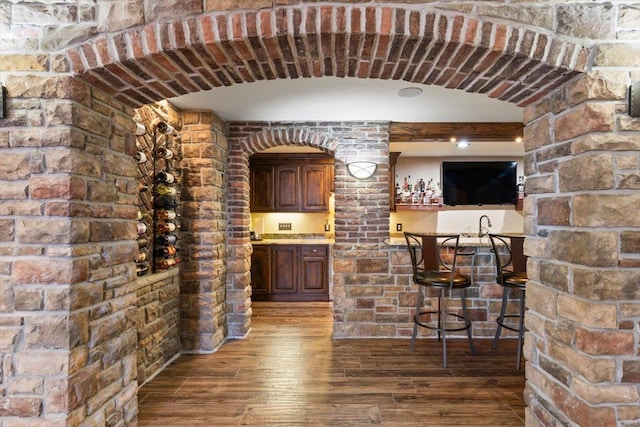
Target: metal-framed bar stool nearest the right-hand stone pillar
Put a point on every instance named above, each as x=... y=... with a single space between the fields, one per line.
x=511 y=273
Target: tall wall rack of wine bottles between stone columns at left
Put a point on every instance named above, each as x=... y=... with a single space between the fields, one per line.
x=159 y=202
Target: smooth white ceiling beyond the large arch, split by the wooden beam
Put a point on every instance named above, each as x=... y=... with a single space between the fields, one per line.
x=350 y=99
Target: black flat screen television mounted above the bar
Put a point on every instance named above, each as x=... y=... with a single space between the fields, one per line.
x=479 y=183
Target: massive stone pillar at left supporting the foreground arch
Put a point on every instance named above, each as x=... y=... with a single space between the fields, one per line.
x=67 y=278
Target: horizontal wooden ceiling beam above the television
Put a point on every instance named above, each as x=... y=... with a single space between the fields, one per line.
x=443 y=131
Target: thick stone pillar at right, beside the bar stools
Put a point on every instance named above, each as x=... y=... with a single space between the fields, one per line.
x=584 y=242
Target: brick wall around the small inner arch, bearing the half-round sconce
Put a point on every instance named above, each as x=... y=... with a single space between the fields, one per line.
x=361 y=216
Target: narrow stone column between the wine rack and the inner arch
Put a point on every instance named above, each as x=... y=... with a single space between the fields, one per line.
x=203 y=307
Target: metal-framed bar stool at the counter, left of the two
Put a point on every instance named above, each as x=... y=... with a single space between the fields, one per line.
x=430 y=270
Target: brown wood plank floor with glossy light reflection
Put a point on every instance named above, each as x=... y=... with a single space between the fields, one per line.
x=290 y=372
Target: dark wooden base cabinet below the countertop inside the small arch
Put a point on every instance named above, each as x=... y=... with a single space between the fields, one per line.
x=290 y=273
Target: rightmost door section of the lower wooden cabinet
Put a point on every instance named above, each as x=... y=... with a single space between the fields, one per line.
x=314 y=275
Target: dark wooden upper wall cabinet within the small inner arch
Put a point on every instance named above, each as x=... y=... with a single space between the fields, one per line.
x=290 y=182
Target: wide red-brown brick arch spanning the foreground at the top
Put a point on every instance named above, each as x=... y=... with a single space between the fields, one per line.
x=167 y=59
